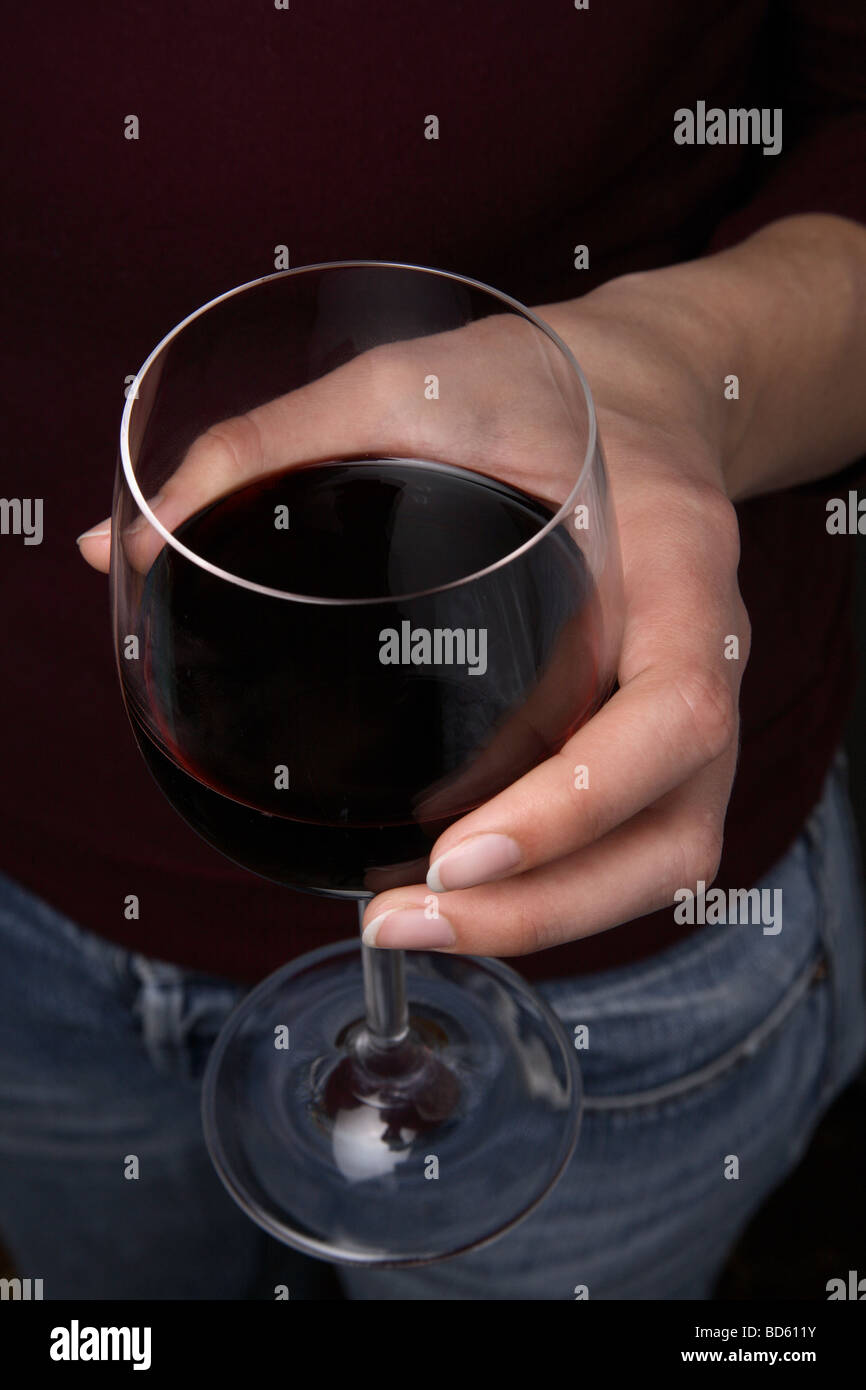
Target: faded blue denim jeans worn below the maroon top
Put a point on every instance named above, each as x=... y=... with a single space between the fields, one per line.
x=729 y=1046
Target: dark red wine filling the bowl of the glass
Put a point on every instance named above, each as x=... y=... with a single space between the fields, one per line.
x=325 y=744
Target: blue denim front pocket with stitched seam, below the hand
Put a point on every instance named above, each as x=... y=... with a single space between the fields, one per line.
x=679 y=1021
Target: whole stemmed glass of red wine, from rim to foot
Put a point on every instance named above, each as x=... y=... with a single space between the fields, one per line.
x=365 y=576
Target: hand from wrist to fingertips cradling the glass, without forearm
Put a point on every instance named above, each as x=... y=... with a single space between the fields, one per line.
x=544 y=862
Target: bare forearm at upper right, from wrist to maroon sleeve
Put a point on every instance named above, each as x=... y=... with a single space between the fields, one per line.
x=785 y=312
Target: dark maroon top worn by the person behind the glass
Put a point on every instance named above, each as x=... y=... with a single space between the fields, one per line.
x=307 y=127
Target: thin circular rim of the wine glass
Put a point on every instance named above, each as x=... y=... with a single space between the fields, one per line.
x=557 y=519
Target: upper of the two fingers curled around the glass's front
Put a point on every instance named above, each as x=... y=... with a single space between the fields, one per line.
x=675 y=714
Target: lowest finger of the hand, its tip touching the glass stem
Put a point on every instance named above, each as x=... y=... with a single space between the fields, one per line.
x=636 y=869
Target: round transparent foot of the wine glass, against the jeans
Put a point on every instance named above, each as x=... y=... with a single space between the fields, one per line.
x=398 y=1157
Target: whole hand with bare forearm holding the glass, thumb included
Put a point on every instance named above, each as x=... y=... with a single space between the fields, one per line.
x=548 y=861
